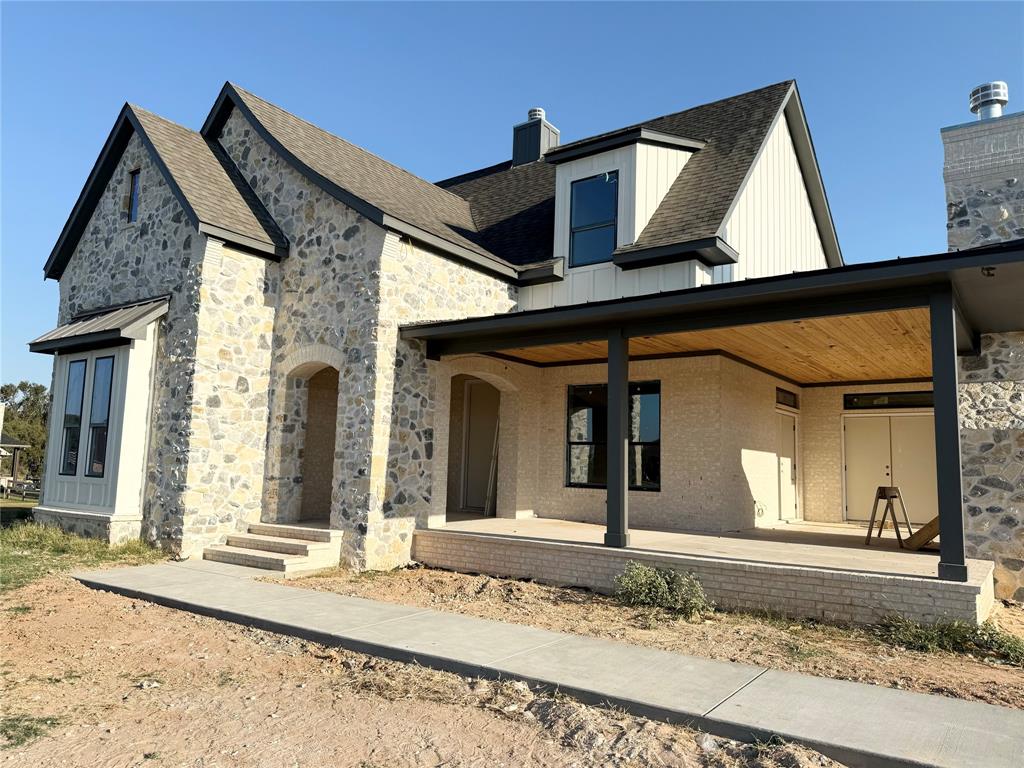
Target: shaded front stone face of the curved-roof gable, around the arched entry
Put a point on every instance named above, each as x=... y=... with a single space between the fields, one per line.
x=327 y=296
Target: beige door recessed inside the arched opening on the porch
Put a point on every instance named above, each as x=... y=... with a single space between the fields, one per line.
x=481 y=455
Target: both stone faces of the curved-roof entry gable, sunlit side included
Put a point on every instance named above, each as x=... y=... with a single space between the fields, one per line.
x=340 y=297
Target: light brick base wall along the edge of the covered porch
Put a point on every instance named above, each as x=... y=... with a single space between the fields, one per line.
x=797 y=591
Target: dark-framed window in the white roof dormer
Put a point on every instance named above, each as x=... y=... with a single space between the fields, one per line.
x=592 y=220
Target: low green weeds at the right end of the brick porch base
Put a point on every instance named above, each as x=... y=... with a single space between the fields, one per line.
x=956 y=637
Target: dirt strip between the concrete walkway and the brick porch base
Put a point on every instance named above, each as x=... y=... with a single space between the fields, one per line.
x=801 y=647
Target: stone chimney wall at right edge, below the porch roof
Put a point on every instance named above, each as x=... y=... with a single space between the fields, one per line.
x=992 y=412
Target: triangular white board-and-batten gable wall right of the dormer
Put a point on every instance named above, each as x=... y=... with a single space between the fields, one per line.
x=773 y=226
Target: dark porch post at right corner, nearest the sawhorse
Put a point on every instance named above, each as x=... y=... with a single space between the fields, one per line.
x=948 y=451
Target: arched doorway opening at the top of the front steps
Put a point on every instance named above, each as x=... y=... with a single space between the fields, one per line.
x=317 y=454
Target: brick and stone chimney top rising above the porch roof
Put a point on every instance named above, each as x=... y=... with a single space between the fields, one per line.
x=985 y=181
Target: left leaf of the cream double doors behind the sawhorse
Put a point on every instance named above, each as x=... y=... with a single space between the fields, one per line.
x=869 y=462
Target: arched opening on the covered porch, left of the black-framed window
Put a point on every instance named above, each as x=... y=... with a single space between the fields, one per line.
x=474 y=441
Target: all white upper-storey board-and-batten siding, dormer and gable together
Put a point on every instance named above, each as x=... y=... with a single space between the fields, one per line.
x=772 y=227
